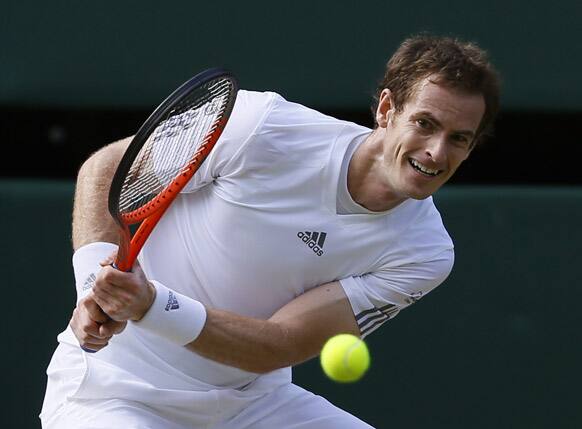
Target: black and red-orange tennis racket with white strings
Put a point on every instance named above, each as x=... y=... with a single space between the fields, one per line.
x=164 y=155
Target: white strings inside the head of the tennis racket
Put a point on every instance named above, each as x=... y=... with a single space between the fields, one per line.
x=172 y=146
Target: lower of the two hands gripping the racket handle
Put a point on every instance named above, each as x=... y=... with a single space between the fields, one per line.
x=92 y=327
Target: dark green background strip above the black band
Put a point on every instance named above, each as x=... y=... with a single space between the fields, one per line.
x=324 y=53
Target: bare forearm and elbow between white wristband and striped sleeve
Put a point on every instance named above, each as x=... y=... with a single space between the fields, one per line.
x=292 y=335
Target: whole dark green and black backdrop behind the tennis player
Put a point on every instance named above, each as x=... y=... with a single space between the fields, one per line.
x=496 y=346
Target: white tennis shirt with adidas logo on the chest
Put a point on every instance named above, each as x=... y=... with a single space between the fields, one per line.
x=256 y=227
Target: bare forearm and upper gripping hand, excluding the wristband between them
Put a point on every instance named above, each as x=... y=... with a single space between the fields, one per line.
x=294 y=334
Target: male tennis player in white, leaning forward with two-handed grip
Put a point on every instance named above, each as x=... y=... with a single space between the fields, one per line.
x=297 y=227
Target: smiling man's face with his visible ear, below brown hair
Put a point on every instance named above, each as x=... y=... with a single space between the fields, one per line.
x=425 y=143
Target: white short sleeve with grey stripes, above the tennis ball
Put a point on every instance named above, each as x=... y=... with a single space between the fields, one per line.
x=379 y=296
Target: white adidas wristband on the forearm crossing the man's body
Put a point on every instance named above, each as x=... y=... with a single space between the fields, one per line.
x=173 y=316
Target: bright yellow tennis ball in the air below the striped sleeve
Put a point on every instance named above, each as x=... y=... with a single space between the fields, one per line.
x=345 y=358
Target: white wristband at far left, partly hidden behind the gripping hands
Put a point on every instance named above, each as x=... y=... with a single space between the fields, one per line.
x=86 y=265
